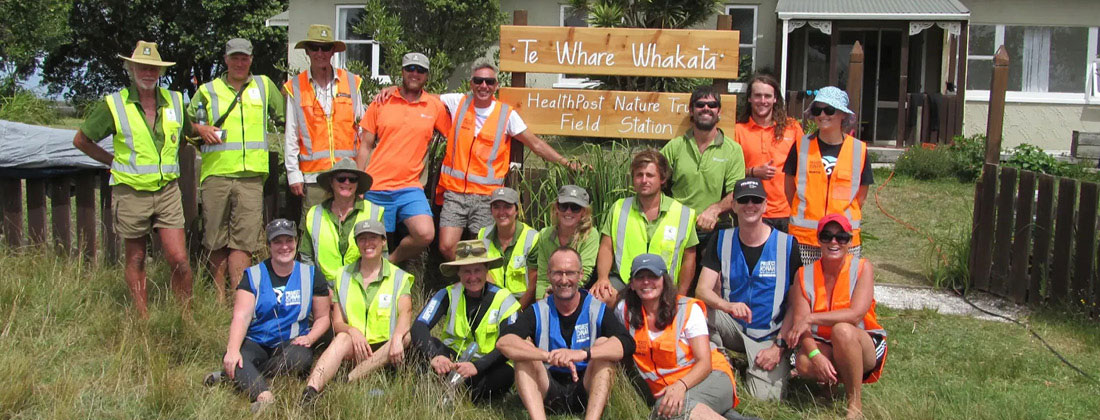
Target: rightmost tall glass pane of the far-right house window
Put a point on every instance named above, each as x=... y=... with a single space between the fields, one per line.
x=1069 y=58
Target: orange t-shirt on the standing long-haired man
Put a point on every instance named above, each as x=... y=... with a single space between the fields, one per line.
x=761 y=147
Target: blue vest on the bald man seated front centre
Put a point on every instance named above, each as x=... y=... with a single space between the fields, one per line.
x=548 y=329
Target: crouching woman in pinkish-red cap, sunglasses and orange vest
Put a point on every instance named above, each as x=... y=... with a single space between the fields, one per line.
x=833 y=317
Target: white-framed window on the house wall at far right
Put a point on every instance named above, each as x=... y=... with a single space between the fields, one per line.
x=1047 y=64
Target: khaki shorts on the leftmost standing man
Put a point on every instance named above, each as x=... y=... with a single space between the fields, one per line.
x=138 y=213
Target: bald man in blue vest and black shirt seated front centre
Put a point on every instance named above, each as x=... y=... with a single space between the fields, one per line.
x=565 y=347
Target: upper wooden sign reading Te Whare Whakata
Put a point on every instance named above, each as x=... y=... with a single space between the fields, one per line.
x=622 y=52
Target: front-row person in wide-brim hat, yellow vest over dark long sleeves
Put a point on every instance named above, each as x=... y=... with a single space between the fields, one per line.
x=475 y=312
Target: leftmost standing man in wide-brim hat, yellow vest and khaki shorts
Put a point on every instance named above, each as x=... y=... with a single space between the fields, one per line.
x=147 y=124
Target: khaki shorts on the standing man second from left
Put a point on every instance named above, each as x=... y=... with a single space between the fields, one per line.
x=233 y=213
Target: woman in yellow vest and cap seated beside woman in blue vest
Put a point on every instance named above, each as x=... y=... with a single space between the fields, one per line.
x=368 y=329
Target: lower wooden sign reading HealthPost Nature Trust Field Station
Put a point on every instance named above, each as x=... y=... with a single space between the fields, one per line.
x=610 y=114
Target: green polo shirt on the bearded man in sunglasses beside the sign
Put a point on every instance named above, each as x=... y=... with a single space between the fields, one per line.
x=700 y=181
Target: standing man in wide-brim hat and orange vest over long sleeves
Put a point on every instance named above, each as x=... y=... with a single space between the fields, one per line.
x=324 y=109
